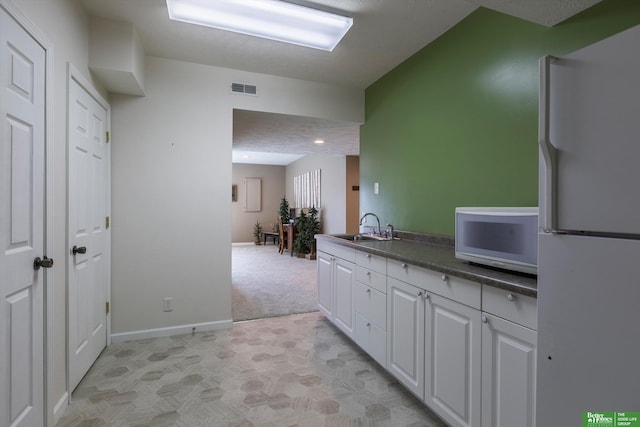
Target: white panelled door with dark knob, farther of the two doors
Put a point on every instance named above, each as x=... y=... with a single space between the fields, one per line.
x=88 y=233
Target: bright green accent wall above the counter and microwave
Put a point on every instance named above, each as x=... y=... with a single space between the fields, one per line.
x=457 y=123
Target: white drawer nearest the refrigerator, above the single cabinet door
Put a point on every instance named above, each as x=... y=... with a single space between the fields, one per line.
x=518 y=308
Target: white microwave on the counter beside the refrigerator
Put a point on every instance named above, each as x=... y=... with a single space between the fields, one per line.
x=499 y=237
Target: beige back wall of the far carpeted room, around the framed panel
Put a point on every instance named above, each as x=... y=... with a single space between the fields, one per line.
x=273 y=189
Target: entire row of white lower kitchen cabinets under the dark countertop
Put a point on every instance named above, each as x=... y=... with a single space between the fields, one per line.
x=467 y=350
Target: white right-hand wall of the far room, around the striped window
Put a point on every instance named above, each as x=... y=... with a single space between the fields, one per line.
x=333 y=178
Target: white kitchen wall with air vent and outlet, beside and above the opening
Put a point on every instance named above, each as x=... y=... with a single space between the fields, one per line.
x=171 y=161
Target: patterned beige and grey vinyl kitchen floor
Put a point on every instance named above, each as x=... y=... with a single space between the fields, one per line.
x=283 y=371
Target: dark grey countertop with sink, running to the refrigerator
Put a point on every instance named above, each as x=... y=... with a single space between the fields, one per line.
x=440 y=256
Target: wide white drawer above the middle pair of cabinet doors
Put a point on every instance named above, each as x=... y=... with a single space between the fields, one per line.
x=455 y=288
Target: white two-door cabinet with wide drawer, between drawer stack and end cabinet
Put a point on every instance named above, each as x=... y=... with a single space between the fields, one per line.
x=434 y=343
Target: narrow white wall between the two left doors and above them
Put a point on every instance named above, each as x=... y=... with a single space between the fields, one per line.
x=66 y=27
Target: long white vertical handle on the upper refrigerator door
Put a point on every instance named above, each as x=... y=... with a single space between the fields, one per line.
x=548 y=151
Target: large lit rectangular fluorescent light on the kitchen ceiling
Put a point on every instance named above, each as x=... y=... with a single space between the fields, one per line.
x=271 y=19
